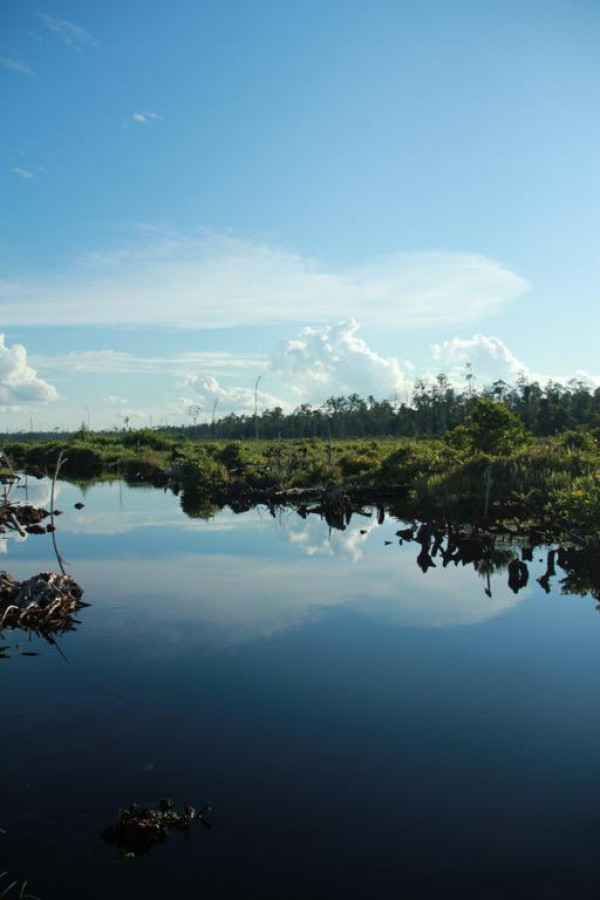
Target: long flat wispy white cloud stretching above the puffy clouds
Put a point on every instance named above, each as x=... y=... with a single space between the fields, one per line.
x=220 y=282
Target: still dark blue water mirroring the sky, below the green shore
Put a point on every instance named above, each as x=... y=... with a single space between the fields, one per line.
x=360 y=727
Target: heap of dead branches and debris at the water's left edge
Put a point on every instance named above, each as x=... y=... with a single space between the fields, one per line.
x=44 y=603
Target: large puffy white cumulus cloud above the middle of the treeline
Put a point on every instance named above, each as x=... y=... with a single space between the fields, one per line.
x=333 y=360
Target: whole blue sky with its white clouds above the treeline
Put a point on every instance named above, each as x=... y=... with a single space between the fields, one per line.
x=338 y=196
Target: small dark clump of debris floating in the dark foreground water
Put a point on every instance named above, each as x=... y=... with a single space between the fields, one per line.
x=138 y=828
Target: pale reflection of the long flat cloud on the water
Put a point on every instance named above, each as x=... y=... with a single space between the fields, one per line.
x=219 y=600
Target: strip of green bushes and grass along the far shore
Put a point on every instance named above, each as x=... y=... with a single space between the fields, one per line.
x=488 y=465
